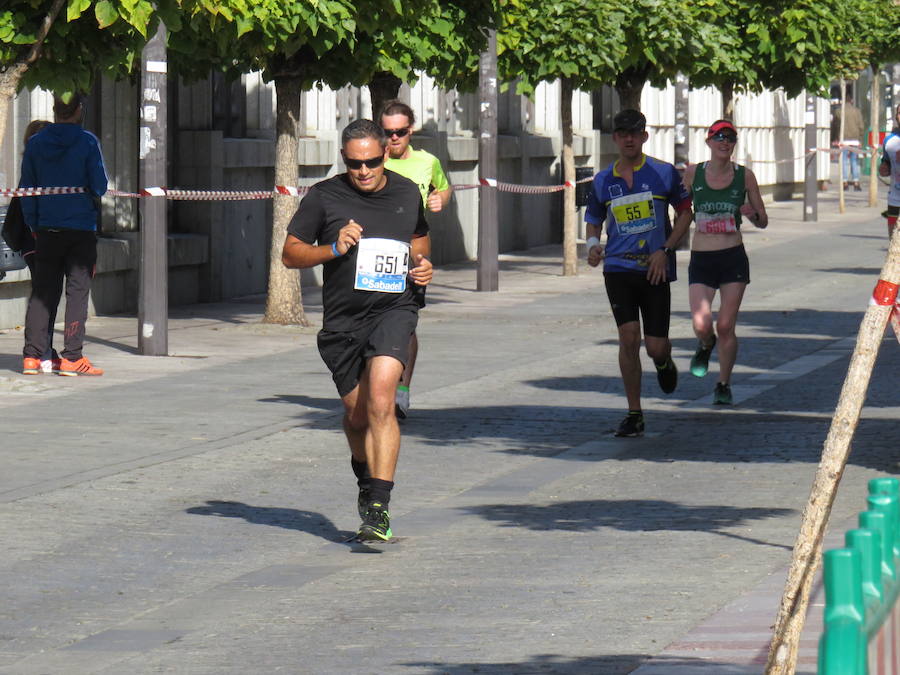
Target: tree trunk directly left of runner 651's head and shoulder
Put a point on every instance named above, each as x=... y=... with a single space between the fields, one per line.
x=284 y=303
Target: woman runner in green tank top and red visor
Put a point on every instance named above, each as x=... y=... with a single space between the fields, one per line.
x=718 y=260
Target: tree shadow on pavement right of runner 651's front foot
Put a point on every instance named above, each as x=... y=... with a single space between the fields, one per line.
x=628 y=515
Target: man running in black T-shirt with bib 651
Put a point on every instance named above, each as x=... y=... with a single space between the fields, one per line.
x=367 y=227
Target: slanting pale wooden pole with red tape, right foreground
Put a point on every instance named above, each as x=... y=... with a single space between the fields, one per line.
x=783 y=651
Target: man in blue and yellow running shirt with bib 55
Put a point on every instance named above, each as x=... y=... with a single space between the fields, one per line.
x=633 y=196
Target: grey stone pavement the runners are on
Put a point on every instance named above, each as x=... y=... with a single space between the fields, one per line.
x=185 y=514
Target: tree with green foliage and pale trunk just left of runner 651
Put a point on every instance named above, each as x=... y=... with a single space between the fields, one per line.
x=297 y=44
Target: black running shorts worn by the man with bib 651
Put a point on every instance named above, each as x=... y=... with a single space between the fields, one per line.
x=385 y=334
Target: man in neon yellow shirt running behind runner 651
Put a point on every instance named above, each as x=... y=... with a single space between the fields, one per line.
x=424 y=169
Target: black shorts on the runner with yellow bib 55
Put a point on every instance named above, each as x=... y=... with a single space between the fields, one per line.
x=632 y=296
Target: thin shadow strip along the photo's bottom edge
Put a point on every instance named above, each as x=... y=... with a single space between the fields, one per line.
x=612 y=664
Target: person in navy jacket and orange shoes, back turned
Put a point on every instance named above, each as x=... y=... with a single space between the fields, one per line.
x=65 y=226
